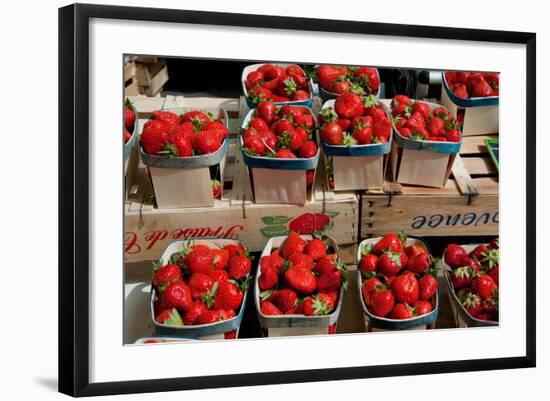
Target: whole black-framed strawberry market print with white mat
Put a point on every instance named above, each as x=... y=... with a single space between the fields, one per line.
x=266 y=203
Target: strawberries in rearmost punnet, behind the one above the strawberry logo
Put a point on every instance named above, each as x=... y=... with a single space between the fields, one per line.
x=277 y=83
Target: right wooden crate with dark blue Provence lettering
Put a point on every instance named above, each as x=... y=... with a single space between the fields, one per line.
x=467 y=205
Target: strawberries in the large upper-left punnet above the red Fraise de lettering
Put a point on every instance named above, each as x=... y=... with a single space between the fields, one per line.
x=193 y=133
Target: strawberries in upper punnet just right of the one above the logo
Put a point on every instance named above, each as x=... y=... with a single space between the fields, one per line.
x=355 y=120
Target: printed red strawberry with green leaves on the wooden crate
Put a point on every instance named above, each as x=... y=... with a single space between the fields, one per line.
x=307 y=223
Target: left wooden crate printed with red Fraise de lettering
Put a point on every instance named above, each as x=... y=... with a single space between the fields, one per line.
x=148 y=230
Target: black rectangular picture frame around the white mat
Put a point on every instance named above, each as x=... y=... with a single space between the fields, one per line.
x=74 y=201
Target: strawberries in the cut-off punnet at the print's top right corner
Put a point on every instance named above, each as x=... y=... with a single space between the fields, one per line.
x=472 y=84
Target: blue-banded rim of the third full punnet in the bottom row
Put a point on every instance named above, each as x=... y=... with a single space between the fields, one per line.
x=396 y=324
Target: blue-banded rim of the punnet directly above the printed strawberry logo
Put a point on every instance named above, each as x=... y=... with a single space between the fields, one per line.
x=254 y=161
